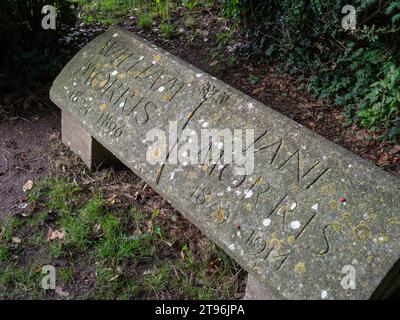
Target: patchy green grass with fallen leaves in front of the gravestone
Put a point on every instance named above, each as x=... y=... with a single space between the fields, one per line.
x=107 y=252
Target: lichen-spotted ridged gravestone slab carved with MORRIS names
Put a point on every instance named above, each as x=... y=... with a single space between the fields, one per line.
x=293 y=230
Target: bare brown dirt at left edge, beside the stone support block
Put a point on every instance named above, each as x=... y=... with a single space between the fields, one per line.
x=25 y=138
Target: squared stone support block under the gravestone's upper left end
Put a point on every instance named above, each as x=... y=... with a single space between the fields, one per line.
x=93 y=154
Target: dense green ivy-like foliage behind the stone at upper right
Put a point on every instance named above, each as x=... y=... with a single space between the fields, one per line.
x=307 y=39
